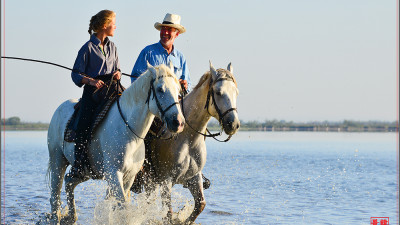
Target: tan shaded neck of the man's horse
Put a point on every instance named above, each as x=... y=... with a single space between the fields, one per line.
x=195 y=113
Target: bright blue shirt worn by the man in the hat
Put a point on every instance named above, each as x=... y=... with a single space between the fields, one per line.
x=155 y=54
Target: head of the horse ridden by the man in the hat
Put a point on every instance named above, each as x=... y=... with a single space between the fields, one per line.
x=223 y=93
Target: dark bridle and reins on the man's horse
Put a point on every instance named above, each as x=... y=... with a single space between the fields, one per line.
x=210 y=95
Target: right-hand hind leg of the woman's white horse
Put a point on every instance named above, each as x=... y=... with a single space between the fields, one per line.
x=70 y=184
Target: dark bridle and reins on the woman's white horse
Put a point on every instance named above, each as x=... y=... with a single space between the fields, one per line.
x=151 y=91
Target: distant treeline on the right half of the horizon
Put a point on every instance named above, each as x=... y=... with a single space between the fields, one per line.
x=343 y=126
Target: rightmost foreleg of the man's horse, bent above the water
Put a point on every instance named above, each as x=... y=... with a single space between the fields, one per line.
x=195 y=185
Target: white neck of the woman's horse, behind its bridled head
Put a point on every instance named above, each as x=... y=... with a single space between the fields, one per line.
x=135 y=110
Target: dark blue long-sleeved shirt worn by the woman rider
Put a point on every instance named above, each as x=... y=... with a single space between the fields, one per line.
x=93 y=62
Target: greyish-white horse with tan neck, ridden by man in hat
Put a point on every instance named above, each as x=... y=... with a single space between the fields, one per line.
x=181 y=160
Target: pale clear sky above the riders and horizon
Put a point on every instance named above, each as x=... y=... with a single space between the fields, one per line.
x=294 y=60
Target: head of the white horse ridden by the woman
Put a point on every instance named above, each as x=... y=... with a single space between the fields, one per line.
x=163 y=99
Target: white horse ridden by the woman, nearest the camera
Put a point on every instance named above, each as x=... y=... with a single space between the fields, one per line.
x=117 y=150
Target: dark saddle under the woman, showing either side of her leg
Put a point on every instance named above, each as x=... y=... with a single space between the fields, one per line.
x=105 y=97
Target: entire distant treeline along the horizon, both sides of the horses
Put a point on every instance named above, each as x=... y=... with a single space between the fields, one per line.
x=14 y=123
